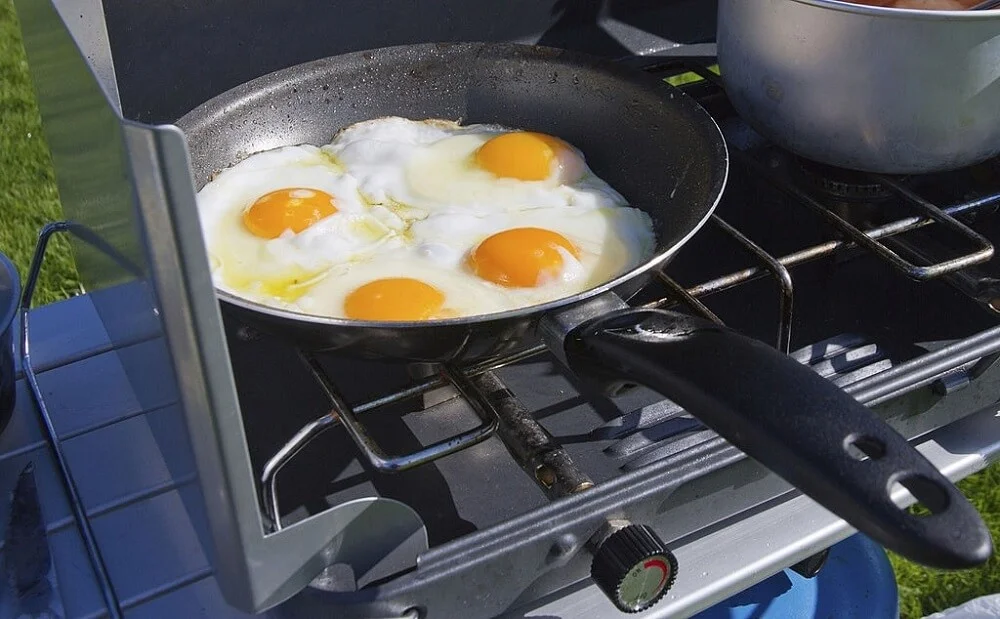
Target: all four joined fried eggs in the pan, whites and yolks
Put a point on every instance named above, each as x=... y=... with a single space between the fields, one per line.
x=402 y=220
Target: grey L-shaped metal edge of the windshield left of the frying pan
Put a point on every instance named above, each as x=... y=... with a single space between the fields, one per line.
x=255 y=571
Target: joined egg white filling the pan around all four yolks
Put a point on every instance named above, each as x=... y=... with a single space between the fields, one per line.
x=411 y=205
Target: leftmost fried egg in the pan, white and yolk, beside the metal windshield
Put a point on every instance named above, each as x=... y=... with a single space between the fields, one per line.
x=276 y=222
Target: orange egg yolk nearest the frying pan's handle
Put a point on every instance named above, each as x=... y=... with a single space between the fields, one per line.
x=520 y=257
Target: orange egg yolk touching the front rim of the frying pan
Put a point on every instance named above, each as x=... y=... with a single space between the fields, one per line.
x=394 y=298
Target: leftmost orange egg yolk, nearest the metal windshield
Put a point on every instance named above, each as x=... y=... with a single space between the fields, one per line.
x=292 y=209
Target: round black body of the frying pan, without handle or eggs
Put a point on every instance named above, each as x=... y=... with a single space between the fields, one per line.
x=653 y=144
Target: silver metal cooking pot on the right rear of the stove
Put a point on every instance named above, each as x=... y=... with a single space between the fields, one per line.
x=883 y=90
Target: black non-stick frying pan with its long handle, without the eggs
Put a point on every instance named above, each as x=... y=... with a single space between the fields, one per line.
x=667 y=156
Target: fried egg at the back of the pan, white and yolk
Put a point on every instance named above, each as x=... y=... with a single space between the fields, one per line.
x=435 y=164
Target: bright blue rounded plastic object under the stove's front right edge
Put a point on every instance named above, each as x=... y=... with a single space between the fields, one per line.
x=857 y=581
